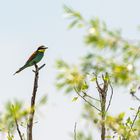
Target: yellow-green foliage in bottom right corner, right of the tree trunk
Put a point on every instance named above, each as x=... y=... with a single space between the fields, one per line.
x=122 y=127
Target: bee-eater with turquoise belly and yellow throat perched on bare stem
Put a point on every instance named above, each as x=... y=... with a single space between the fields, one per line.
x=34 y=58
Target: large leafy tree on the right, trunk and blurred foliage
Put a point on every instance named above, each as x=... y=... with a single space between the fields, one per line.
x=111 y=59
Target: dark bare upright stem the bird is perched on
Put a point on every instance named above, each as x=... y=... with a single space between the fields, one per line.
x=32 y=107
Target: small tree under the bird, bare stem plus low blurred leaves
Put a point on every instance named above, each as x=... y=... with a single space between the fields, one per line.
x=16 y=115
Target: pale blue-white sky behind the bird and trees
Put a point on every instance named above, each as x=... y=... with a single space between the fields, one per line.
x=24 y=25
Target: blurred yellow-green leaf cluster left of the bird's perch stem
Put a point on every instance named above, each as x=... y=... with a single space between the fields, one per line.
x=7 y=119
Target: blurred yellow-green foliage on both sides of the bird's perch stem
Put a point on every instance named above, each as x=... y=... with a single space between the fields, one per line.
x=16 y=110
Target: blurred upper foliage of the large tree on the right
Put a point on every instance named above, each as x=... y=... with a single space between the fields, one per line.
x=108 y=52
